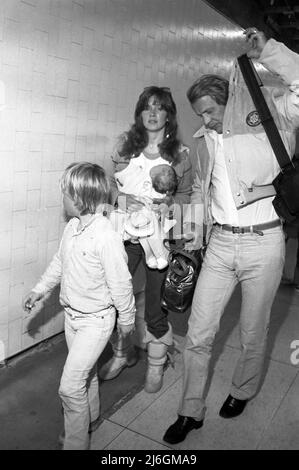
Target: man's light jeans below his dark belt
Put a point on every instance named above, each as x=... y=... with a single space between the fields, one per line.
x=256 y=262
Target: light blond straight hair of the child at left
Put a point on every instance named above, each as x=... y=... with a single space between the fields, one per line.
x=87 y=185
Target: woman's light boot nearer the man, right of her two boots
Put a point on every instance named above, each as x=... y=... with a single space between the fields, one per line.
x=157 y=357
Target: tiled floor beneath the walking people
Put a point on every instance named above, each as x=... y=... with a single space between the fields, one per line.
x=31 y=418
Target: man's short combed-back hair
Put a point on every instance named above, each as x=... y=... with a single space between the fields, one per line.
x=214 y=86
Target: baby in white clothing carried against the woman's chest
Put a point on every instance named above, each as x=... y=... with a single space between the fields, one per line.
x=144 y=225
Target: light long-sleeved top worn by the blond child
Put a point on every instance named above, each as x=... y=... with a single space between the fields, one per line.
x=91 y=266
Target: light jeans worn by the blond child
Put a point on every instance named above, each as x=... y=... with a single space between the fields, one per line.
x=86 y=337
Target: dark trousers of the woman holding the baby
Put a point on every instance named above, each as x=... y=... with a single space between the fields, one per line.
x=154 y=316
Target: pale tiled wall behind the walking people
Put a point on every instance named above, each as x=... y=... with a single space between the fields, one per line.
x=70 y=75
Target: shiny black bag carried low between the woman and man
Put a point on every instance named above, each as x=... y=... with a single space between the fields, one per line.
x=181 y=277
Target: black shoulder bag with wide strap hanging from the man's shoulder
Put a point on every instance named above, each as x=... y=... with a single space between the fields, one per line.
x=286 y=184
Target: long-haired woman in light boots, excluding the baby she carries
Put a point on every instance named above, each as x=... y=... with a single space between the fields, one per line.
x=151 y=140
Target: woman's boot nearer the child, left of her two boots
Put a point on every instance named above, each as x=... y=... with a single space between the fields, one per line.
x=124 y=355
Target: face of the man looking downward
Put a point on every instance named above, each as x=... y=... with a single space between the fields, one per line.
x=211 y=113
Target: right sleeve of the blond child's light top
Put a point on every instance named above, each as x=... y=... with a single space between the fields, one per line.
x=119 y=281
